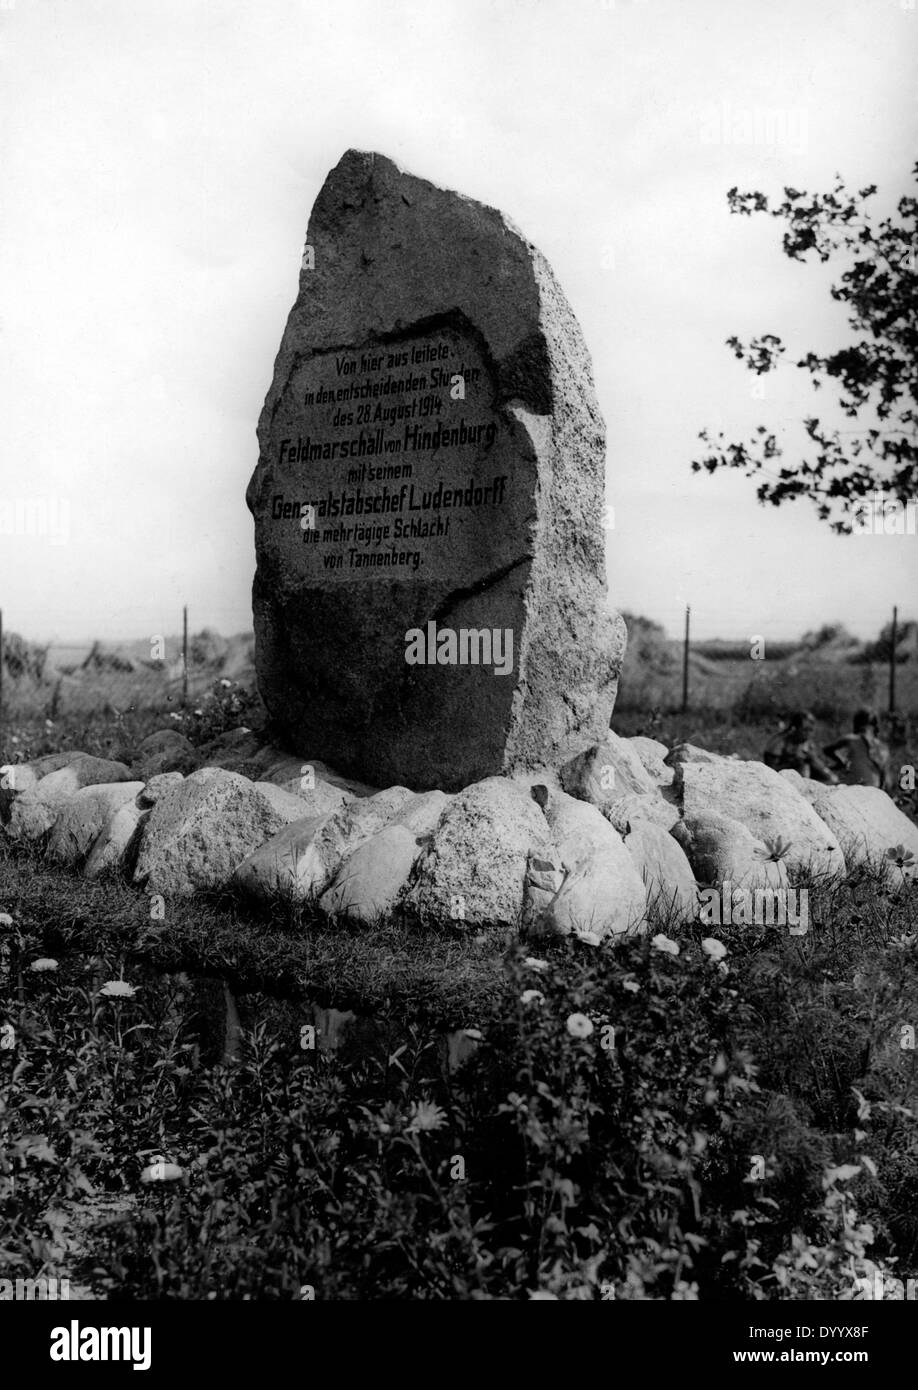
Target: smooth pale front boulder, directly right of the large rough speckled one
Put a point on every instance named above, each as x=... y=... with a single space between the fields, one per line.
x=603 y=893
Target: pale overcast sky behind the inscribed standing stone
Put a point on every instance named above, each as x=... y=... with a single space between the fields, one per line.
x=159 y=161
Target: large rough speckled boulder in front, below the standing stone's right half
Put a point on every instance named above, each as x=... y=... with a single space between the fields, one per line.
x=474 y=872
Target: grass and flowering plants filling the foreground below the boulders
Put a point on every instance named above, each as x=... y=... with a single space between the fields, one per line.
x=582 y=1168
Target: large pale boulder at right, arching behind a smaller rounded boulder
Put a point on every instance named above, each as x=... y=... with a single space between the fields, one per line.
x=768 y=807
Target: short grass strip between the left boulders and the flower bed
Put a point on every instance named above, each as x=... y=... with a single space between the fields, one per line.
x=437 y=976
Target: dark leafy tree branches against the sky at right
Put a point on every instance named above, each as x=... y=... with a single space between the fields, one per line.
x=876 y=376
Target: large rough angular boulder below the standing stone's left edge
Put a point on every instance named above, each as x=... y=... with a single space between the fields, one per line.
x=202 y=829
